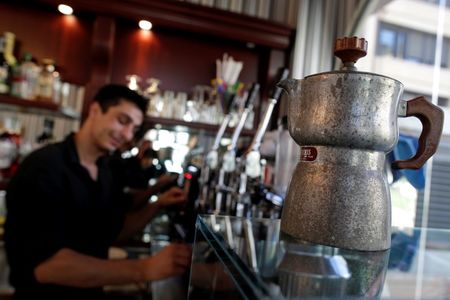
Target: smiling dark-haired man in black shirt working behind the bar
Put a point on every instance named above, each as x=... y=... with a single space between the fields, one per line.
x=66 y=206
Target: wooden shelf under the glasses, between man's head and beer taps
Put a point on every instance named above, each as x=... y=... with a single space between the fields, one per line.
x=151 y=122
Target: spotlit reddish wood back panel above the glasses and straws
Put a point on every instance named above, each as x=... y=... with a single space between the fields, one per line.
x=179 y=59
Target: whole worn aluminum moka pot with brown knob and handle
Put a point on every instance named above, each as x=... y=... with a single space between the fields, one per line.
x=345 y=123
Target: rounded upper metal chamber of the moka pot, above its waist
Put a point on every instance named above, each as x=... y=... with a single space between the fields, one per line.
x=345 y=109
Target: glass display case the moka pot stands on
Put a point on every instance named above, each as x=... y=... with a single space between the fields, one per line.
x=238 y=258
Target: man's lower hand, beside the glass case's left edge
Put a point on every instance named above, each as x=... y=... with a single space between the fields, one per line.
x=172 y=260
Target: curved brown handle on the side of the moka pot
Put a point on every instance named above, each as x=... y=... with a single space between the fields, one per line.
x=432 y=119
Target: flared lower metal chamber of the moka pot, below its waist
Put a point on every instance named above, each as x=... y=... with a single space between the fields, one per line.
x=341 y=199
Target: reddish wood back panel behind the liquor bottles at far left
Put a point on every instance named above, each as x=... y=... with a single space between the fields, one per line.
x=47 y=34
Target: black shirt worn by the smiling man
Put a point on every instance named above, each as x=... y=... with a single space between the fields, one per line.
x=53 y=203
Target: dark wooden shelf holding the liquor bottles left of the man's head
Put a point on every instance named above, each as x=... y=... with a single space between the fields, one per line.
x=39 y=107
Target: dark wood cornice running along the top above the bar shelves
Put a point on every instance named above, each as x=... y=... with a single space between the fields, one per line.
x=193 y=18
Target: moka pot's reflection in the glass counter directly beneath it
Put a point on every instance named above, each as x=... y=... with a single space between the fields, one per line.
x=317 y=272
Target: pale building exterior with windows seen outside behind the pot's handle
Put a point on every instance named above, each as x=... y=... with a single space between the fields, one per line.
x=406 y=39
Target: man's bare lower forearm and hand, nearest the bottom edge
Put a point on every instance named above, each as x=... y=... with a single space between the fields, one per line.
x=71 y=268
